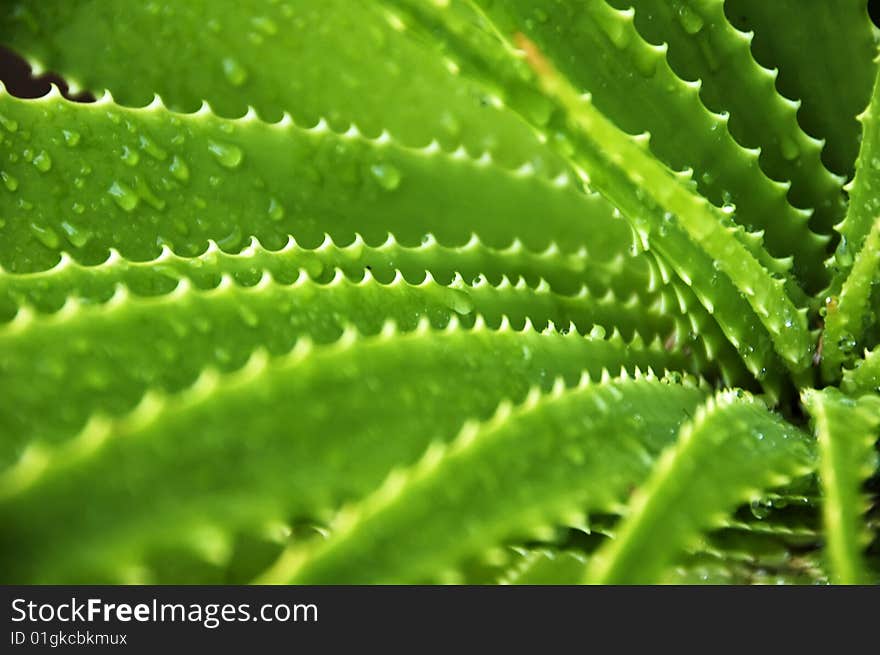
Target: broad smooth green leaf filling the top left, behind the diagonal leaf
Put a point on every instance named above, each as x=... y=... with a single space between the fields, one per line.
x=276 y=58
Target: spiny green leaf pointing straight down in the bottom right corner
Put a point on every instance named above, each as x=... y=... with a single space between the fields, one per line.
x=846 y=431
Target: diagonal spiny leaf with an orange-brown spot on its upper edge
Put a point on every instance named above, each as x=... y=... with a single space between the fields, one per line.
x=689 y=232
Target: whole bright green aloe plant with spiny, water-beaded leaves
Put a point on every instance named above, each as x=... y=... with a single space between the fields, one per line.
x=374 y=291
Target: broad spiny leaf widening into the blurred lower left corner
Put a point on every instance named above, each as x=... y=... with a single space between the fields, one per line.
x=317 y=423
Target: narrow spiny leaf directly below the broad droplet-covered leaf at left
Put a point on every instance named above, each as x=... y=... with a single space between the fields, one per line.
x=615 y=294
